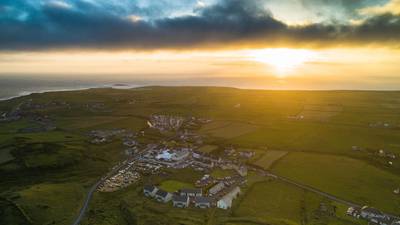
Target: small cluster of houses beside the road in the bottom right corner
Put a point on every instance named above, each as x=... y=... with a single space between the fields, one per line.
x=372 y=215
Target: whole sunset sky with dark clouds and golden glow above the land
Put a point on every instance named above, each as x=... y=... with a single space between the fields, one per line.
x=277 y=44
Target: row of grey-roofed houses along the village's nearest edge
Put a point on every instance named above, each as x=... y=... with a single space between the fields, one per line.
x=187 y=197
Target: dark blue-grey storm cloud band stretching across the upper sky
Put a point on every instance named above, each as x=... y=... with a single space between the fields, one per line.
x=83 y=24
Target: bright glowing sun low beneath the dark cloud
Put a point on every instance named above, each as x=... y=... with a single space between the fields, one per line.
x=284 y=60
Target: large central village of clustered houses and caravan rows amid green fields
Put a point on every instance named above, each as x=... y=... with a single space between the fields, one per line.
x=154 y=157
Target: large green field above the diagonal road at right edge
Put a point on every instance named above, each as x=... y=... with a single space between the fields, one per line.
x=344 y=177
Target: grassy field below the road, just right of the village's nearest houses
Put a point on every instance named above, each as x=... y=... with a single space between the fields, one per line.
x=274 y=202
